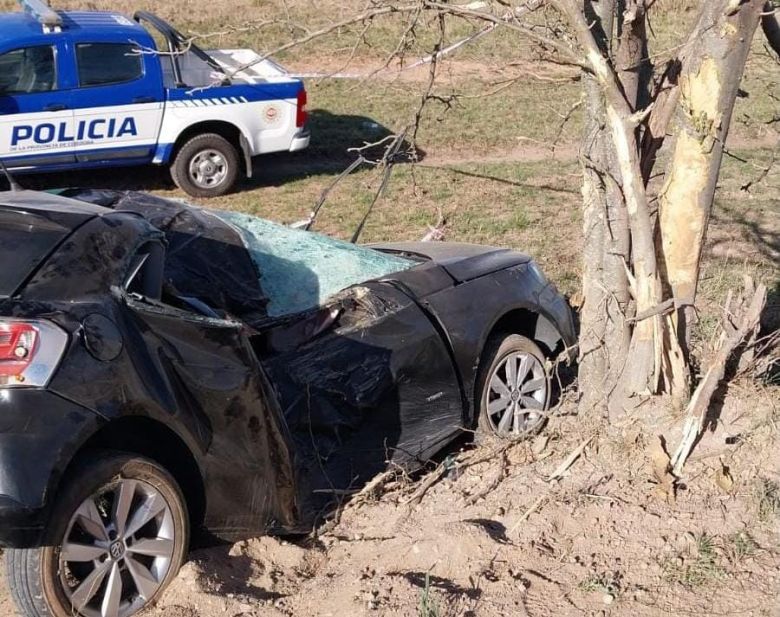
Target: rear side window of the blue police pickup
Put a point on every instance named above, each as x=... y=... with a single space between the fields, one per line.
x=101 y=64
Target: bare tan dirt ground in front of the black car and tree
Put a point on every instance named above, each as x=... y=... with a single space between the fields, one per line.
x=494 y=537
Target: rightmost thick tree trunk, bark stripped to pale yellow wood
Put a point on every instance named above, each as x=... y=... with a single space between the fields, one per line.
x=708 y=88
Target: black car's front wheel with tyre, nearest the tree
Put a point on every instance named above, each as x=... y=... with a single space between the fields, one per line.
x=514 y=388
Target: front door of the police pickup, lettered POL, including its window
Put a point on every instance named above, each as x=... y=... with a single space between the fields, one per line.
x=36 y=121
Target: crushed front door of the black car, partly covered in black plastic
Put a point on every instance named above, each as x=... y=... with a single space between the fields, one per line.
x=377 y=385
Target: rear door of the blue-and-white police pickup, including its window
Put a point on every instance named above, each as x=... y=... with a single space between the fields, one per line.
x=118 y=102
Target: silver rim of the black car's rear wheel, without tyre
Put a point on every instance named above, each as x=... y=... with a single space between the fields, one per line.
x=117 y=550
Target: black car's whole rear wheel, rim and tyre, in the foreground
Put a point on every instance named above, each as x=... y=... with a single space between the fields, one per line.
x=118 y=535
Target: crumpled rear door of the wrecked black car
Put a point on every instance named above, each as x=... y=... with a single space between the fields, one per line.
x=199 y=374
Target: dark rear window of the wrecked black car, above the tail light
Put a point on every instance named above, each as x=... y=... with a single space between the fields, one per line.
x=25 y=241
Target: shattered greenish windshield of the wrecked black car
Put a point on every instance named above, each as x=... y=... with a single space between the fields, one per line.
x=299 y=269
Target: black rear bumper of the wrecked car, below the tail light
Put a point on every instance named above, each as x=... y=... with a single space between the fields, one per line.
x=40 y=433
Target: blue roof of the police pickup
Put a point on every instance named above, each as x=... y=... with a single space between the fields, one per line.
x=25 y=28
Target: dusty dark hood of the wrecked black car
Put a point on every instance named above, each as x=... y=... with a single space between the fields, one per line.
x=463 y=262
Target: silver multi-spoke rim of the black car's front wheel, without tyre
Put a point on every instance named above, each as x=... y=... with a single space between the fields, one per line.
x=516 y=395
